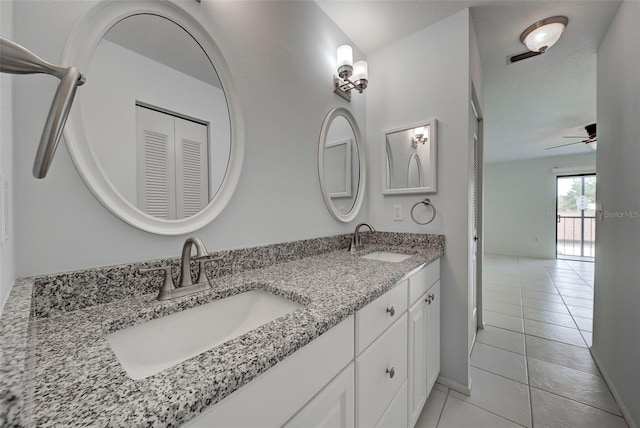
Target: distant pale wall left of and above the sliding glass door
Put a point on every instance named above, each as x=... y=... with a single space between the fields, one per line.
x=520 y=205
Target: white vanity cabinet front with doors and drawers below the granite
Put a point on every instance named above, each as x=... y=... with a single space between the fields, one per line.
x=374 y=369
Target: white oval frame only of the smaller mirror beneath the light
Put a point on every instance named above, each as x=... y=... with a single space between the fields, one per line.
x=362 y=173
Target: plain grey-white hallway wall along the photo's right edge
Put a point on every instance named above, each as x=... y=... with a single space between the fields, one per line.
x=616 y=337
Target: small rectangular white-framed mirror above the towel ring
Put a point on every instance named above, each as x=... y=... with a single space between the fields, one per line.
x=409 y=159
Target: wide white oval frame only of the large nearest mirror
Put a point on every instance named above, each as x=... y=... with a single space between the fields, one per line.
x=79 y=49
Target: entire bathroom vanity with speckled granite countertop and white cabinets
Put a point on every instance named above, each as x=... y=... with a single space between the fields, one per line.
x=362 y=348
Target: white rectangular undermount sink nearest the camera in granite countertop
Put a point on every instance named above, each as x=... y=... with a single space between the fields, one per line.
x=148 y=348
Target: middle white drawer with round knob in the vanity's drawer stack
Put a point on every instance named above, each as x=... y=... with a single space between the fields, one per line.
x=375 y=386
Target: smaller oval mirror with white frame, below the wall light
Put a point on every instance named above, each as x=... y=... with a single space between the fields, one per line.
x=341 y=164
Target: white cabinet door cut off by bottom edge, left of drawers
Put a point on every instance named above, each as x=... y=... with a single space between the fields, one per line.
x=333 y=407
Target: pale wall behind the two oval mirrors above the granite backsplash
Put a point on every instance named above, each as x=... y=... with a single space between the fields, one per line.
x=282 y=55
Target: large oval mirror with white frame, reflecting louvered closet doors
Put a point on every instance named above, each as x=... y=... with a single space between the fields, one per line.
x=156 y=133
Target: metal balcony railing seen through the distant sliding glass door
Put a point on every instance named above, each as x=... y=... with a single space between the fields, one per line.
x=576 y=236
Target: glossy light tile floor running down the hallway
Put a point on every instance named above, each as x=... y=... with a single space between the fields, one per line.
x=530 y=365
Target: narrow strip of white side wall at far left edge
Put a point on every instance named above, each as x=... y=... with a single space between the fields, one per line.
x=7 y=248
